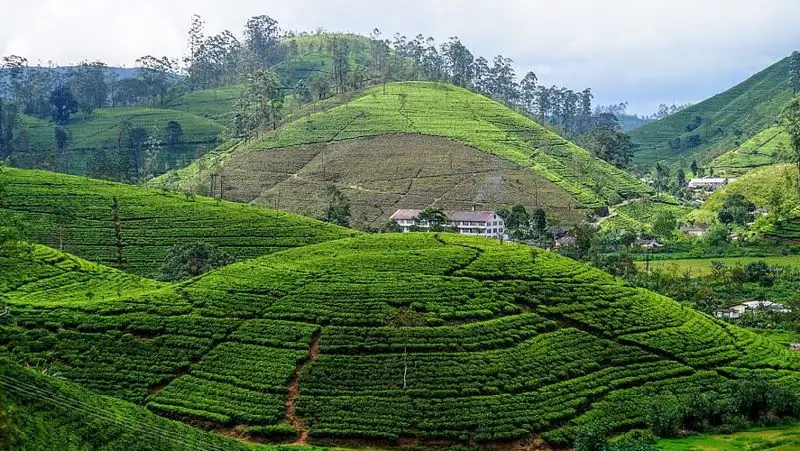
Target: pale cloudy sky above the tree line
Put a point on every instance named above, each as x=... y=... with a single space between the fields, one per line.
x=645 y=52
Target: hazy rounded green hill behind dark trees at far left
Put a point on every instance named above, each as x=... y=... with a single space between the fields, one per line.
x=101 y=131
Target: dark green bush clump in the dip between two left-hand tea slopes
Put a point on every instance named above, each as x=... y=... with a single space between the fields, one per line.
x=185 y=261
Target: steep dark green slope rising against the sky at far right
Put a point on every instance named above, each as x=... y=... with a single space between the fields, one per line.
x=725 y=120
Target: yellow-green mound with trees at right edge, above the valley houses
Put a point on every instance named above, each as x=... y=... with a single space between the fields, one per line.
x=773 y=188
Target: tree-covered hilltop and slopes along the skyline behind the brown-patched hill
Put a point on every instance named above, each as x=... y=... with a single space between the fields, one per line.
x=133 y=124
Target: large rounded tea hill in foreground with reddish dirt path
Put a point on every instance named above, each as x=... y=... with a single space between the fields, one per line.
x=398 y=337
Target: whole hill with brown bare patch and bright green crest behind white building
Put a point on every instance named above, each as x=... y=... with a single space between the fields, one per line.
x=412 y=144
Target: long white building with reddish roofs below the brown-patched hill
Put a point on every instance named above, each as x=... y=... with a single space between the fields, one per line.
x=479 y=223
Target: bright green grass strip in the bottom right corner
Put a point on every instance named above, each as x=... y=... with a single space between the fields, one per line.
x=783 y=438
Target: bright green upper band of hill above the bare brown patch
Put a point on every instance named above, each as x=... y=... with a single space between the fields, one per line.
x=454 y=113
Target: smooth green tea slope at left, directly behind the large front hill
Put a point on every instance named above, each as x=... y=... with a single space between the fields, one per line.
x=78 y=215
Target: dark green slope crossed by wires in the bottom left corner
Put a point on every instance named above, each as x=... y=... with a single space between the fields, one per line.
x=47 y=413
